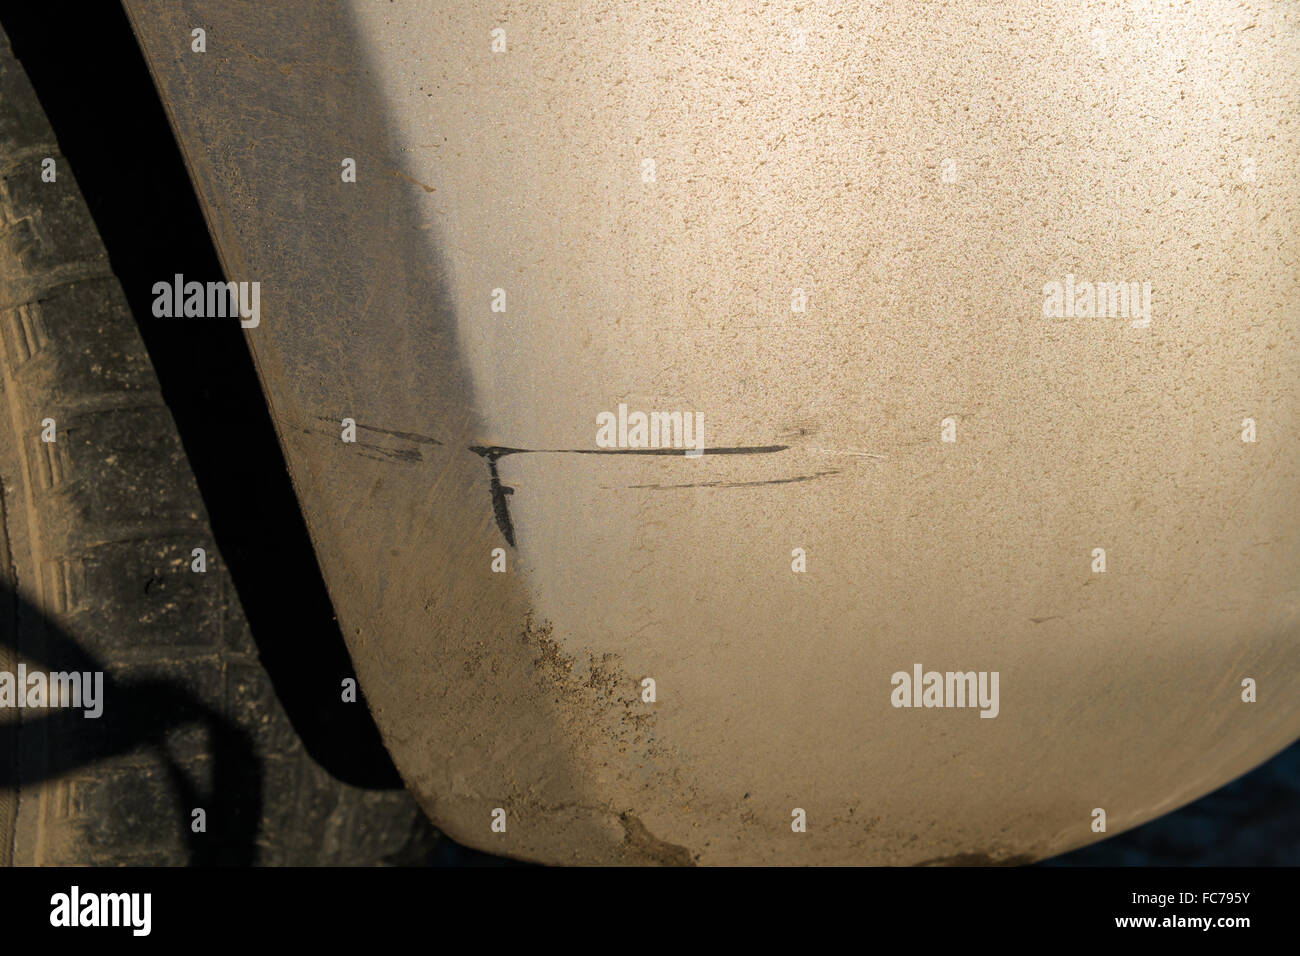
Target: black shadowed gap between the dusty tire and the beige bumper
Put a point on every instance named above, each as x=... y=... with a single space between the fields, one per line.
x=93 y=83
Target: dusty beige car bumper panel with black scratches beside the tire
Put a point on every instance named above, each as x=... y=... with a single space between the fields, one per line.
x=1112 y=157
